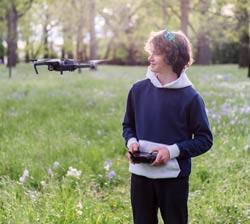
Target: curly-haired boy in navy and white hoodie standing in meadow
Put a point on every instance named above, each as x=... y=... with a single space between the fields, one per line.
x=166 y=115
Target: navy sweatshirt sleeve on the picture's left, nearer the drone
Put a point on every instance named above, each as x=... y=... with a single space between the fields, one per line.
x=129 y=131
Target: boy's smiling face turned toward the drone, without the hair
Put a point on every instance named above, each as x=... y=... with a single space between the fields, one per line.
x=157 y=64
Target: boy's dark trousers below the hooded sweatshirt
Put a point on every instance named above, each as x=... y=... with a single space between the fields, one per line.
x=169 y=195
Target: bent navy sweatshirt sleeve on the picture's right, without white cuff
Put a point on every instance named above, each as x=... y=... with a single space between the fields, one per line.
x=198 y=123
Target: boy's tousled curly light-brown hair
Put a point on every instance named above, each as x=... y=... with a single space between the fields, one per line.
x=177 y=52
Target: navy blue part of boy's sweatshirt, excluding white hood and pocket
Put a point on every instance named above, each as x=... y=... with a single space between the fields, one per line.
x=168 y=116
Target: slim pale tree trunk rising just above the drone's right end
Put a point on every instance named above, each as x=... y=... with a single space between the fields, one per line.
x=92 y=12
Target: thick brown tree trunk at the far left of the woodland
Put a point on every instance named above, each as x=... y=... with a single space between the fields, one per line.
x=12 y=18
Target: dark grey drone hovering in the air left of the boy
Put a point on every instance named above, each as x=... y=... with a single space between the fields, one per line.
x=65 y=65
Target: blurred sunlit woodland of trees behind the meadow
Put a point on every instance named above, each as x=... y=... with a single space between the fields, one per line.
x=117 y=30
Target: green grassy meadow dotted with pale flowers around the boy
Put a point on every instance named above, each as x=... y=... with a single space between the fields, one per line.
x=63 y=160
